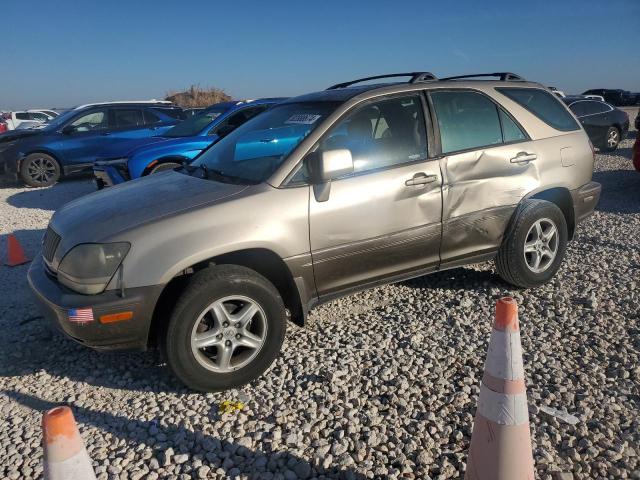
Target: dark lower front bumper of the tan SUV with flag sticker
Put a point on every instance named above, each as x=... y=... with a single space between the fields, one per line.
x=55 y=301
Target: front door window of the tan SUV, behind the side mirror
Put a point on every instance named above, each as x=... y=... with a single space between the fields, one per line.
x=381 y=134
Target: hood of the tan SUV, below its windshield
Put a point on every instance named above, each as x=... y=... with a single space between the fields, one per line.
x=102 y=215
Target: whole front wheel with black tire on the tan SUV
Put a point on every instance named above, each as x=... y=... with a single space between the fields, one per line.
x=232 y=287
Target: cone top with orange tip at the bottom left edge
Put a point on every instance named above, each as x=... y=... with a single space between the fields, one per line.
x=65 y=457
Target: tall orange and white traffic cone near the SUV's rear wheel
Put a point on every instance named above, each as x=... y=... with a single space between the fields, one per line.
x=501 y=442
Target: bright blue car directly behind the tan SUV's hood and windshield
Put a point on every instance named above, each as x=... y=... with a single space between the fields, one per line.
x=180 y=144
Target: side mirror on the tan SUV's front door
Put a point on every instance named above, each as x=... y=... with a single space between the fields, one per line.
x=326 y=166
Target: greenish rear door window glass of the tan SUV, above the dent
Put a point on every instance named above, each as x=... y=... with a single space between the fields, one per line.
x=469 y=120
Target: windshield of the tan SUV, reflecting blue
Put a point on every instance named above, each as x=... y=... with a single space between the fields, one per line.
x=252 y=152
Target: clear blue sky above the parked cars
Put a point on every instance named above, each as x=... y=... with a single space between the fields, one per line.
x=64 y=53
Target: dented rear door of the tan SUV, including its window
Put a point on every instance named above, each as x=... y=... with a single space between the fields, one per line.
x=488 y=165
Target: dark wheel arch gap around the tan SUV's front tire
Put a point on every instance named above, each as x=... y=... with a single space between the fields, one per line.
x=263 y=261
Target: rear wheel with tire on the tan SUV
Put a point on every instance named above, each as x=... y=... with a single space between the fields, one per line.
x=518 y=267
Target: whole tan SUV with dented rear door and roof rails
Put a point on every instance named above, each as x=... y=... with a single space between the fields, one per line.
x=326 y=194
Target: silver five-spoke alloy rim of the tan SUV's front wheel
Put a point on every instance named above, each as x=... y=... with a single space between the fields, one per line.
x=229 y=334
